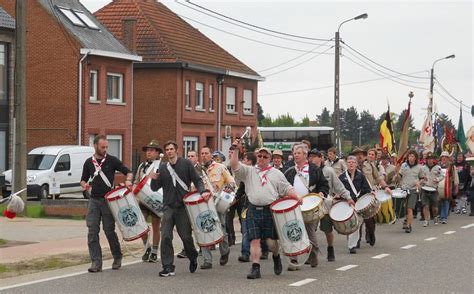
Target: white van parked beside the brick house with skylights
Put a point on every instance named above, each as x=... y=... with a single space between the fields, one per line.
x=53 y=170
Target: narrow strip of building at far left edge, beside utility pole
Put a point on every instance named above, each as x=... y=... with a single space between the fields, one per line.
x=7 y=62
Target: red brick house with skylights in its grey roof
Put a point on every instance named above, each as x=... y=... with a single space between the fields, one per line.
x=79 y=78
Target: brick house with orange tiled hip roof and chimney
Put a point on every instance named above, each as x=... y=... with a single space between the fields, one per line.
x=187 y=88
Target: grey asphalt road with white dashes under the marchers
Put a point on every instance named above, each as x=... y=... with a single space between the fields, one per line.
x=441 y=261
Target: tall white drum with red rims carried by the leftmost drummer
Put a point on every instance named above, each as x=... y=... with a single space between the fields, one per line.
x=127 y=214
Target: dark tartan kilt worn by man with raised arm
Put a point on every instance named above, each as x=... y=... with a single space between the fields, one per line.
x=259 y=223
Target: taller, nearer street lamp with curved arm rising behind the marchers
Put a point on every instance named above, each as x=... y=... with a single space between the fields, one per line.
x=337 y=124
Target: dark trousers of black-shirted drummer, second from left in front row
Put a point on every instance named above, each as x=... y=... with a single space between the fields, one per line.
x=179 y=217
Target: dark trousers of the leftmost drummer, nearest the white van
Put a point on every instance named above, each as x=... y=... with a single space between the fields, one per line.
x=98 y=210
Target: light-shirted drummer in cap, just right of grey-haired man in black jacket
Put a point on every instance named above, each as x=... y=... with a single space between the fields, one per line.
x=336 y=189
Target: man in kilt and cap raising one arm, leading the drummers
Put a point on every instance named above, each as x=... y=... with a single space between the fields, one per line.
x=263 y=185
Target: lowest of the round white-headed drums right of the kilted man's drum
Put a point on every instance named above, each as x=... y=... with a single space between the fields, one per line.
x=344 y=218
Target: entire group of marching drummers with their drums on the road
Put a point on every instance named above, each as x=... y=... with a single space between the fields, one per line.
x=279 y=206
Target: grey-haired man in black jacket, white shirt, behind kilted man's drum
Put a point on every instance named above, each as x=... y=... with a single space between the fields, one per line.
x=307 y=178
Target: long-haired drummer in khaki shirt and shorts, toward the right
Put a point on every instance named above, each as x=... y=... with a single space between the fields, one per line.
x=410 y=174
